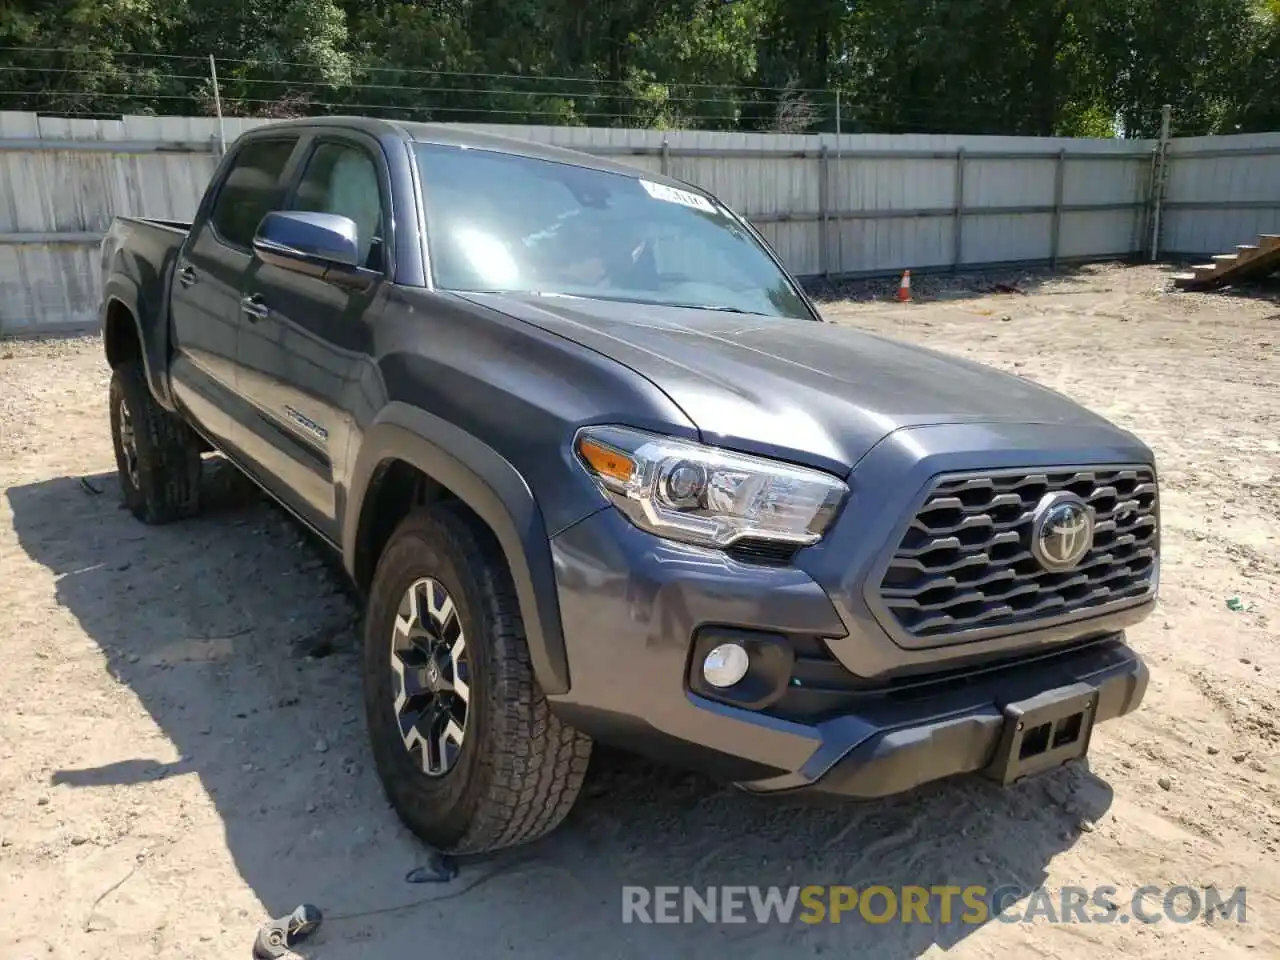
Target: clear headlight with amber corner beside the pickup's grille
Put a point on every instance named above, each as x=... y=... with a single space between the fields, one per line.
x=706 y=496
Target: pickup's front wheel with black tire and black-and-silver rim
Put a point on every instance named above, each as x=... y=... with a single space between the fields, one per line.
x=464 y=740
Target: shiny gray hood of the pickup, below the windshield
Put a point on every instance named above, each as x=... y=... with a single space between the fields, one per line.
x=808 y=392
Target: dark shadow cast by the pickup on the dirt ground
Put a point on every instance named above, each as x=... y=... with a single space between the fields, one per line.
x=241 y=642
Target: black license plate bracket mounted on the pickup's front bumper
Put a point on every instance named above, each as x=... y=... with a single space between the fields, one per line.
x=1044 y=733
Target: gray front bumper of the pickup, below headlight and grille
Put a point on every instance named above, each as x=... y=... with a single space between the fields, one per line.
x=632 y=605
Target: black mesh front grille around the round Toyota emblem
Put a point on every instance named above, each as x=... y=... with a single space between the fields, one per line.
x=966 y=563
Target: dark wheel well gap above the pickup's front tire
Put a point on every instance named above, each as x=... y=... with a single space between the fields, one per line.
x=396 y=490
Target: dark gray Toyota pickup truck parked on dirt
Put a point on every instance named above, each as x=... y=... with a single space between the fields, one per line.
x=604 y=473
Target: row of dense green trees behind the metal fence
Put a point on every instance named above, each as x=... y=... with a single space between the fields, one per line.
x=1025 y=67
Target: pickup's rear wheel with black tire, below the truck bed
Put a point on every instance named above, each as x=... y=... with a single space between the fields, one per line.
x=157 y=452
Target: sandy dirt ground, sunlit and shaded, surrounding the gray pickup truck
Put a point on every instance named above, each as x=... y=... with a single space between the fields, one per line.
x=182 y=751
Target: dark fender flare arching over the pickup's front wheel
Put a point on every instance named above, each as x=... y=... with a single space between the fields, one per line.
x=488 y=484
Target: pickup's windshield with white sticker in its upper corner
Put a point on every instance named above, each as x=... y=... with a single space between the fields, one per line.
x=514 y=225
